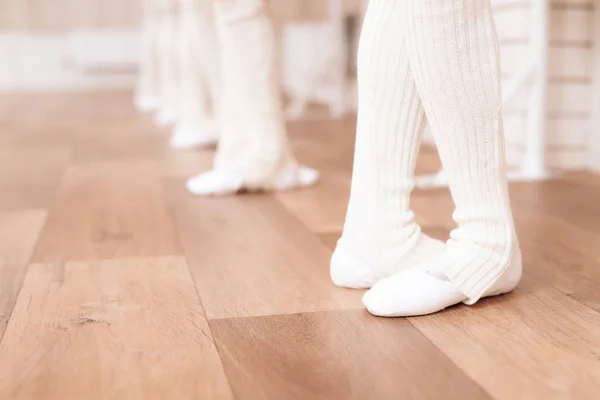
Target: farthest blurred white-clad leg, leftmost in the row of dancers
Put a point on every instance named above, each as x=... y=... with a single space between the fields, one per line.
x=147 y=97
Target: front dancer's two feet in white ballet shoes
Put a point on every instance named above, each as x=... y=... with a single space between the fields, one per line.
x=408 y=283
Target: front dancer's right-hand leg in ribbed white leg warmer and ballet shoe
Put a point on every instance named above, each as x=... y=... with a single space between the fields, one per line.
x=453 y=55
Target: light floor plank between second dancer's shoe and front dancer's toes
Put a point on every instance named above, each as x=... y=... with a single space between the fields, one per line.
x=250 y=256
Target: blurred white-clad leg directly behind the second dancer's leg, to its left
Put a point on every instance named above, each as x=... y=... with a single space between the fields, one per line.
x=199 y=62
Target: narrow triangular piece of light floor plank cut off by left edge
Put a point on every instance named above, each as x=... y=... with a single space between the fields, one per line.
x=19 y=231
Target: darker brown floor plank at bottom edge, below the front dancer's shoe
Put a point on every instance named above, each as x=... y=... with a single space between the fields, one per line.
x=336 y=355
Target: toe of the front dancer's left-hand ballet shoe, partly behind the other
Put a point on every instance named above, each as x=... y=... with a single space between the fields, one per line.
x=348 y=272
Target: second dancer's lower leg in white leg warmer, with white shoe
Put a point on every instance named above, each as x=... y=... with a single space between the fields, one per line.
x=253 y=151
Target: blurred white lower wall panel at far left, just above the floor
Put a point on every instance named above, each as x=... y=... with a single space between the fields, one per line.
x=76 y=61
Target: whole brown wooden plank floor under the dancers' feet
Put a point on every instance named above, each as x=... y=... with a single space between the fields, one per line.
x=117 y=284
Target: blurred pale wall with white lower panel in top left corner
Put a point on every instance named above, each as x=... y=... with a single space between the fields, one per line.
x=42 y=47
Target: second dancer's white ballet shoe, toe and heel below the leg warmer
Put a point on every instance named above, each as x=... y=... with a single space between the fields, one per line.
x=219 y=183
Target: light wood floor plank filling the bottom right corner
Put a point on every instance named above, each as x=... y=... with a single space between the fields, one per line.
x=533 y=344
